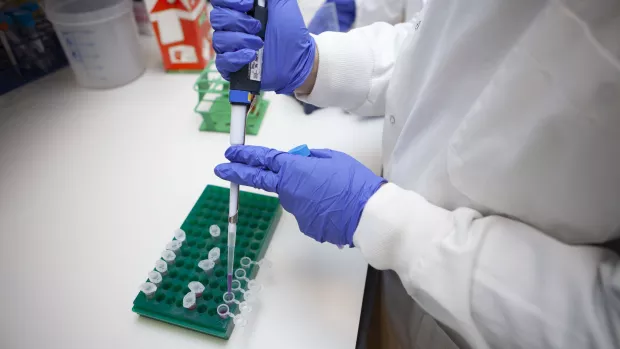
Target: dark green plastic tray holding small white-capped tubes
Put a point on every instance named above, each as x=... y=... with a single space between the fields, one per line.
x=258 y=216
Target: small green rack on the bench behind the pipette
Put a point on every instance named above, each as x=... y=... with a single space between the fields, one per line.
x=214 y=107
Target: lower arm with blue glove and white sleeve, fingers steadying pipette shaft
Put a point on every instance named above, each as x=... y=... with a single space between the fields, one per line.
x=497 y=282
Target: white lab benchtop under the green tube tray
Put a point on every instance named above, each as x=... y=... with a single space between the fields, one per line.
x=92 y=185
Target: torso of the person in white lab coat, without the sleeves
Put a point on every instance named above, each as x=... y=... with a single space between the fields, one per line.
x=512 y=108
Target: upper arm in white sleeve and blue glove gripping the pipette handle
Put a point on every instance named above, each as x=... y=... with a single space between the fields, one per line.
x=349 y=70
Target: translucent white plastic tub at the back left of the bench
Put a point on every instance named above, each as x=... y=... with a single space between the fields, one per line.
x=100 y=39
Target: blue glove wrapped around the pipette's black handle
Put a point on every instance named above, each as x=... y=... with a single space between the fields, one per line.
x=288 y=53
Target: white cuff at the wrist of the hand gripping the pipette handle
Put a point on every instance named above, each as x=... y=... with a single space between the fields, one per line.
x=344 y=73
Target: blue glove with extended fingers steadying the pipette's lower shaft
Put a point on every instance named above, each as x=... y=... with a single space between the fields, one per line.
x=326 y=192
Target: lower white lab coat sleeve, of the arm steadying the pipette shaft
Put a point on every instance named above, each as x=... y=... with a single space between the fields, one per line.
x=498 y=282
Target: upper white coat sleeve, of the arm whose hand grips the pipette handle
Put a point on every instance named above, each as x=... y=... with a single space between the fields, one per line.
x=355 y=67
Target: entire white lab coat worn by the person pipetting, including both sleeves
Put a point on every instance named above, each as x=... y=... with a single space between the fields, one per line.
x=502 y=147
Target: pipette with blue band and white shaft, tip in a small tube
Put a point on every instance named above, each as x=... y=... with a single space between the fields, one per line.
x=244 y=86
